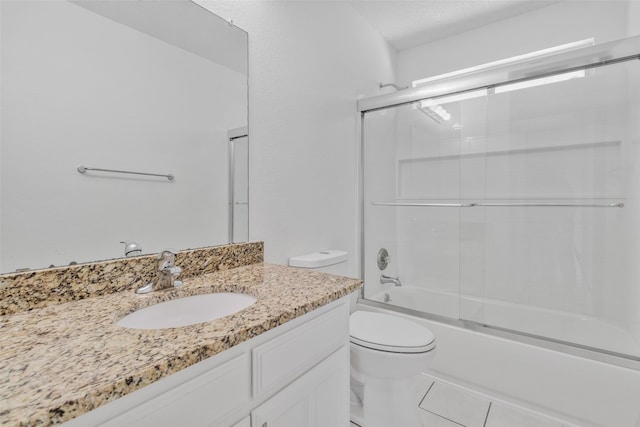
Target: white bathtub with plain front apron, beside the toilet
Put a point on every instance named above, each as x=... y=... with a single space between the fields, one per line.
x=573 y=389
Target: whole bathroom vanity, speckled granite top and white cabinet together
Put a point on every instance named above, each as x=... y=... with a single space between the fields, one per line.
x=281 y=361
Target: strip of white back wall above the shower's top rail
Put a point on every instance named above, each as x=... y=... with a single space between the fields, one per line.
x=553 y=25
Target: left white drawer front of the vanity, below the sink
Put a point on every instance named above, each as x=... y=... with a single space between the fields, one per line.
x=197 y=402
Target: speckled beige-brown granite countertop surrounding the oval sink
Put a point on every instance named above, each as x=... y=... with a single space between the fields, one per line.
x=60 y=361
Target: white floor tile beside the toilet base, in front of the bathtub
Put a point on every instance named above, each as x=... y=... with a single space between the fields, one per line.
x=456 y=404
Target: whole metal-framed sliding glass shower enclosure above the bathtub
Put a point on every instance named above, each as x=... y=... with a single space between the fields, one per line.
x=507 y=200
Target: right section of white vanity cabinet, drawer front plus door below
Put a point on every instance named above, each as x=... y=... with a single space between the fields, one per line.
x=310 y=367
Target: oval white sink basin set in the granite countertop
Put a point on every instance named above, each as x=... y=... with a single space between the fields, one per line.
x=187 y=311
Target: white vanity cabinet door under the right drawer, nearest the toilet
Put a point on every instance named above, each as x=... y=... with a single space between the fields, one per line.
x=319 y=398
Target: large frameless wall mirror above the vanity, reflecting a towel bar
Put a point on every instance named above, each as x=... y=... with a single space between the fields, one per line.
x=157 y=87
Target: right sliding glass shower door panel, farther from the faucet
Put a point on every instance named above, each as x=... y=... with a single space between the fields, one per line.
x=560 y=209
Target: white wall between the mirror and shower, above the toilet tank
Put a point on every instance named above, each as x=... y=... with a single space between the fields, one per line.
x=308 y=63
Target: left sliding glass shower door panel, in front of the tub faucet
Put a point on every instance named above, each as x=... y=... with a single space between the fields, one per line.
x=421 y=164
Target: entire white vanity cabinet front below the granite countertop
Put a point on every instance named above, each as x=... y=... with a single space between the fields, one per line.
x=294 y=375
